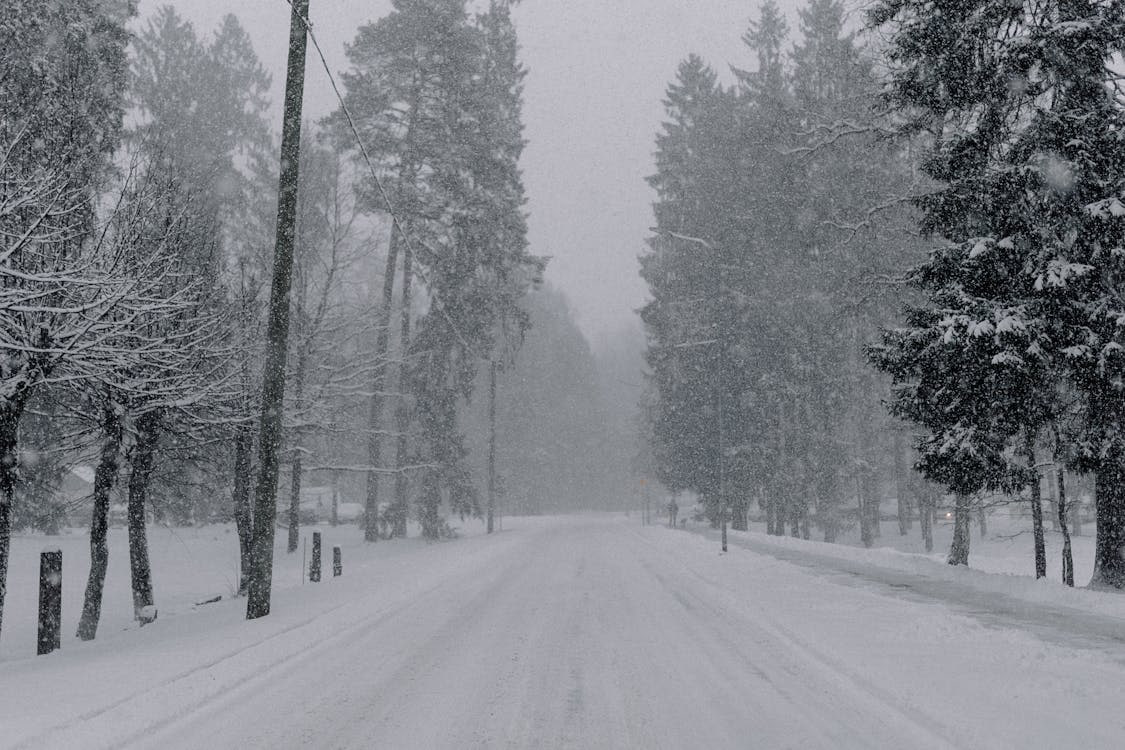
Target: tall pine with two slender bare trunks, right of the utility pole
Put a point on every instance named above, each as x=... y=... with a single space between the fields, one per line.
x=410 y=73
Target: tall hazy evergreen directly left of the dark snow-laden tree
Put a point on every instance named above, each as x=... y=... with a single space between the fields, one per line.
x=847 y=170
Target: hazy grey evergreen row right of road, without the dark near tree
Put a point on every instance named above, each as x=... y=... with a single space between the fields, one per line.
x=764 y=274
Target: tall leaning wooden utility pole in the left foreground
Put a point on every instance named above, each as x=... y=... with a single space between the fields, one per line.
x=277 y=337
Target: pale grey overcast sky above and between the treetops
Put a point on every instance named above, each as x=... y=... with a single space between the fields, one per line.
x=598 y=74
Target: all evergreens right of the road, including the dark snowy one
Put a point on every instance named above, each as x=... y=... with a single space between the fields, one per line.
x=968 y=167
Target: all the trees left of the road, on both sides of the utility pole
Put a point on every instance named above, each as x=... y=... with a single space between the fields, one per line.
x=139 y=182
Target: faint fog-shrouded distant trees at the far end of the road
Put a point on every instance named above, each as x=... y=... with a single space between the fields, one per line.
x=563 y=439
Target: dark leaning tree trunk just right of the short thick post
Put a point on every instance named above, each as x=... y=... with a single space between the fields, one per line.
x=113 y=428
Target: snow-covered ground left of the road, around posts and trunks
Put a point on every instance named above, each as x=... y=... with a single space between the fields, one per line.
x=193 y=653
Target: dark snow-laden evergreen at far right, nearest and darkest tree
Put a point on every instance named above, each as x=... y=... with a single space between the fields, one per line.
x=1016 y=102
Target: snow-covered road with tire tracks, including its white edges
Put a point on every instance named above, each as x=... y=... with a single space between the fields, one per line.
x=593 y=632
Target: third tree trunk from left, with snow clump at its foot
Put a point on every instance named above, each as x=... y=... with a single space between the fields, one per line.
x=142 y=458
